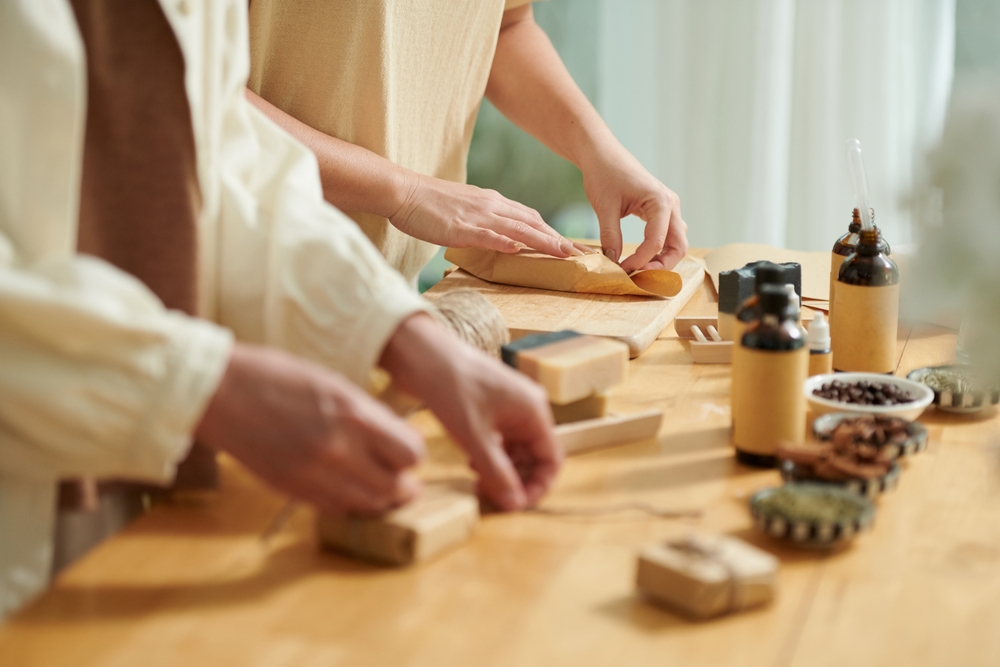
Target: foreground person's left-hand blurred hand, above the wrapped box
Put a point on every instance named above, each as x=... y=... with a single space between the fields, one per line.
x=311 y=434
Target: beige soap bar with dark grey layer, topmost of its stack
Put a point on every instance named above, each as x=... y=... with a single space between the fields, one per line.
x=570 y=366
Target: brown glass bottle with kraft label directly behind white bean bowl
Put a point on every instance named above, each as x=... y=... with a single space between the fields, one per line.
x=866 y=298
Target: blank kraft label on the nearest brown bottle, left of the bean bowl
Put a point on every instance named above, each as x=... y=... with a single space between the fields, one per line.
x=769 y=408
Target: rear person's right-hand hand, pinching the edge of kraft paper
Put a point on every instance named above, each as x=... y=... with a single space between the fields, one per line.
x=618 y=186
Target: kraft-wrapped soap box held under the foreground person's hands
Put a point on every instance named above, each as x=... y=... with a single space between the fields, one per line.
x=430 y=524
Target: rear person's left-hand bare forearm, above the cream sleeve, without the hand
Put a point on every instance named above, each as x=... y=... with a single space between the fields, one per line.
x=354 y=178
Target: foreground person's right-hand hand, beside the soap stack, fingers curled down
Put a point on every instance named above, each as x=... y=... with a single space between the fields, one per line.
x=498 y=416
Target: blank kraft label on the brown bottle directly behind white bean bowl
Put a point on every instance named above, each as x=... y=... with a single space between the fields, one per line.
x=864 y=334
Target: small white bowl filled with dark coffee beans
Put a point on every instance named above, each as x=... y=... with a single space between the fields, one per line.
x=869 y=393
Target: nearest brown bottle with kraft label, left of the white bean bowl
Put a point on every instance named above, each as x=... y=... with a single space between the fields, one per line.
x=768 y=373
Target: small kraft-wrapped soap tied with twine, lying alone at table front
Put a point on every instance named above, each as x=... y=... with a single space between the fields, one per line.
x=707 y=575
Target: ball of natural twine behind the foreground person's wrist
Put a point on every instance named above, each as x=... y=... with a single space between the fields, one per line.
x=471 y=317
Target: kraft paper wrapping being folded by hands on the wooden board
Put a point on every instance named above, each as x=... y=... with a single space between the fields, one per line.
x=587 y=274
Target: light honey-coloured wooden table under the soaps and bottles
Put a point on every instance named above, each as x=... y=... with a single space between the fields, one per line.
x=222 y=583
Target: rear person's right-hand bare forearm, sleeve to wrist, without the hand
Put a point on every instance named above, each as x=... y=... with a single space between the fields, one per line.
x=529 y=84
